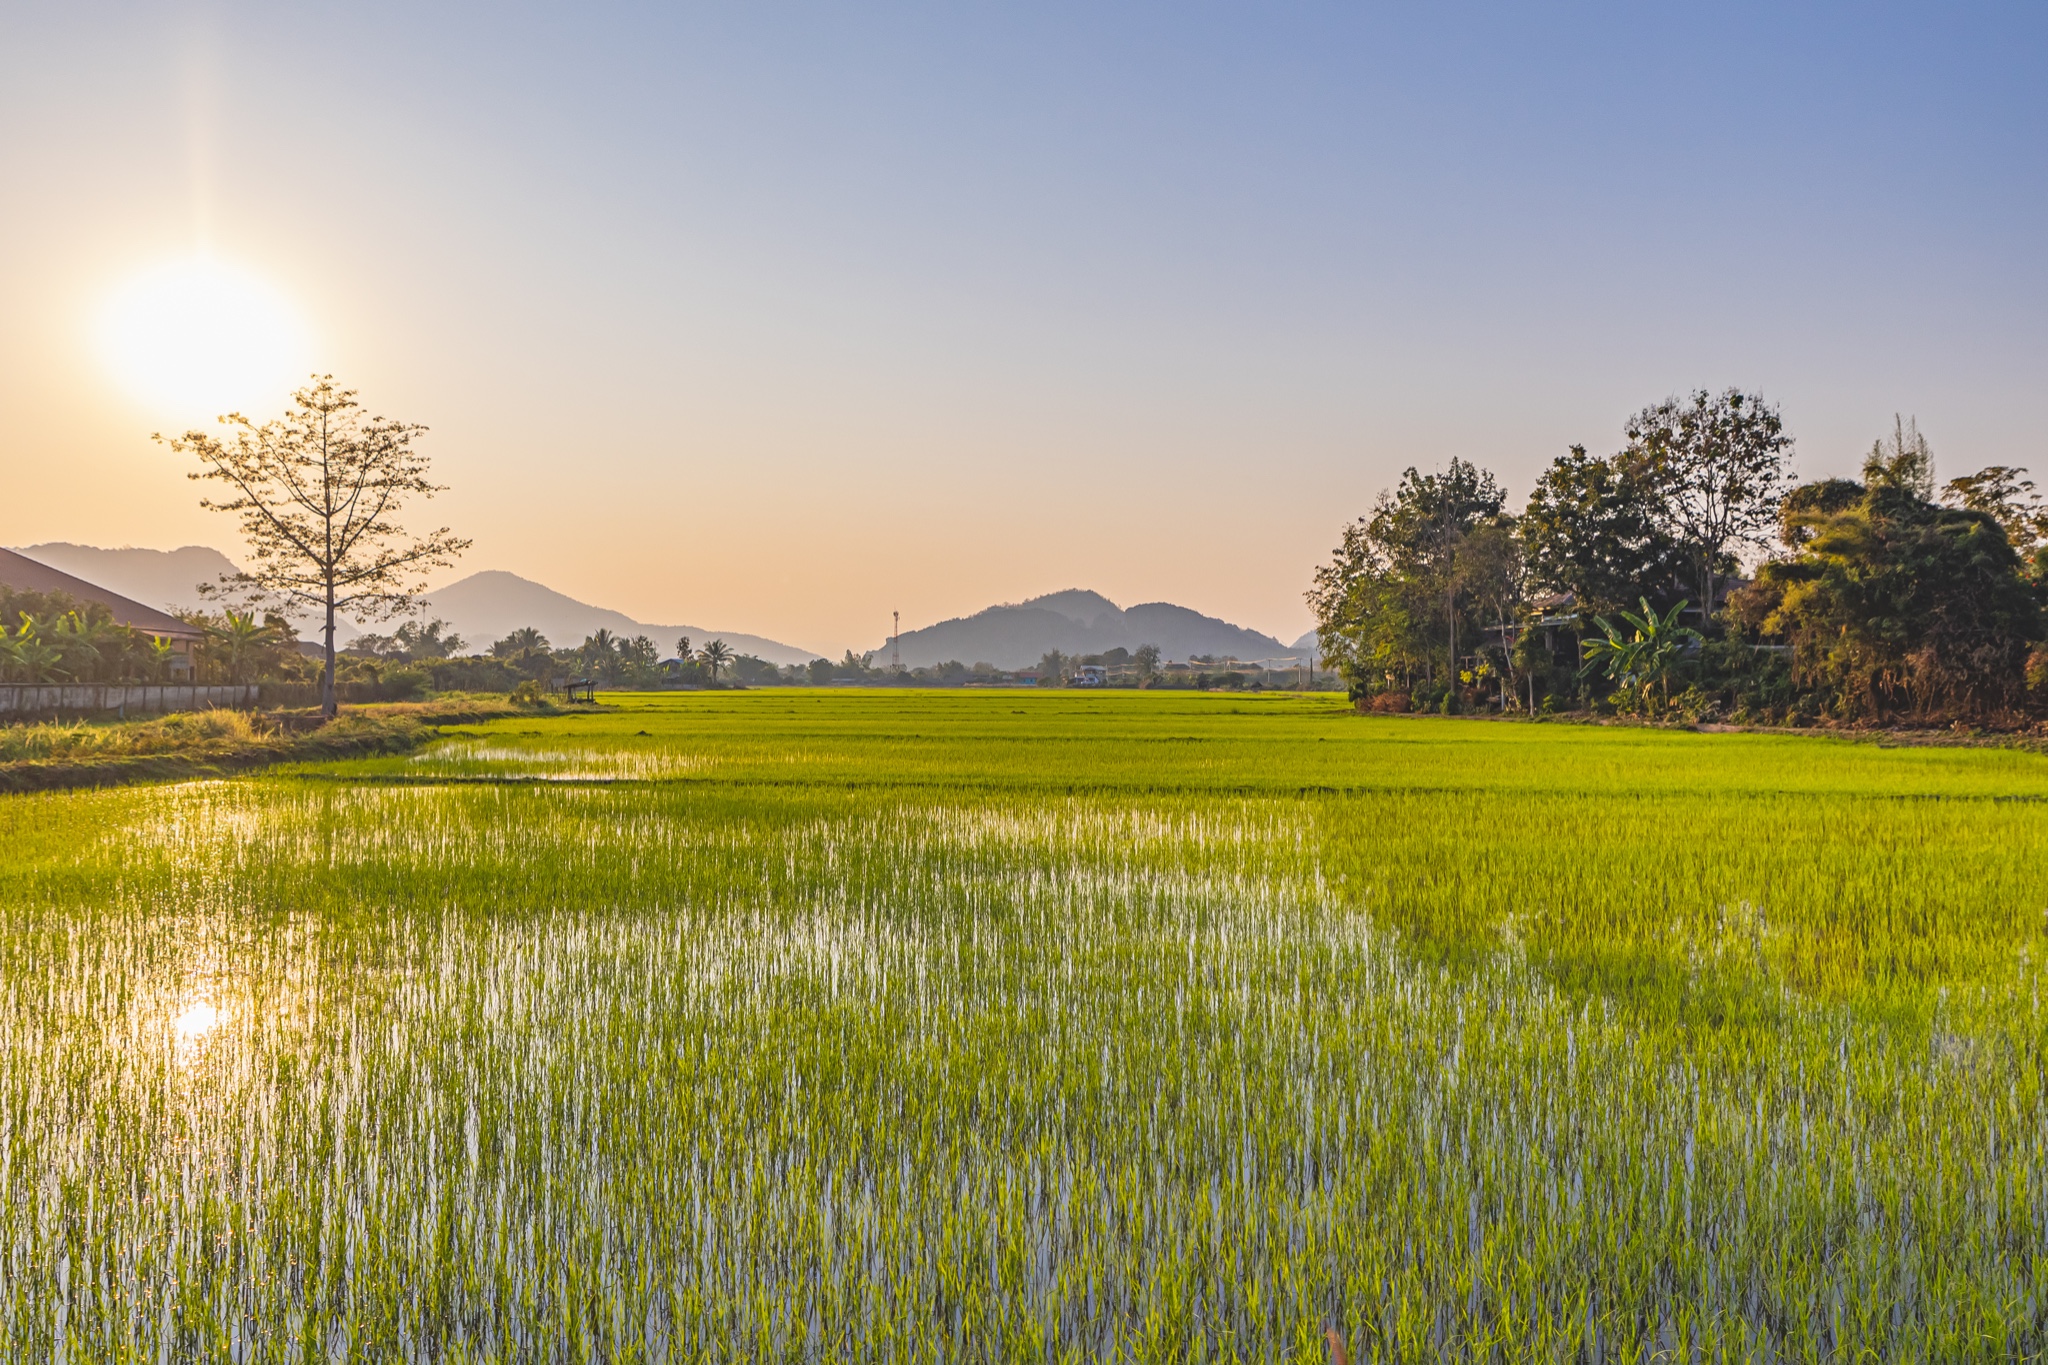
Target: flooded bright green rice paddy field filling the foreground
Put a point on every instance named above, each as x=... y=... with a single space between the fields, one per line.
x=1013 y=1026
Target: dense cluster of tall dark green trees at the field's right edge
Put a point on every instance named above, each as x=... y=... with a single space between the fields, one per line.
x=1691 y=574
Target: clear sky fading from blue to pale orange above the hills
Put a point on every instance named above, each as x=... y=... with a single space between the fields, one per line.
x=779 y=318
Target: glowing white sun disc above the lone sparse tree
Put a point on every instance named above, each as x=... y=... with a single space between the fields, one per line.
x=198 y=339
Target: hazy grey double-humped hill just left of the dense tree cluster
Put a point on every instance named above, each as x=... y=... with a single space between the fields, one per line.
x=1078 y=623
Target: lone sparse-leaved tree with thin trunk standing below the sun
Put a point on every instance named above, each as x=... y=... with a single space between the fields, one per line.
x=318 y=494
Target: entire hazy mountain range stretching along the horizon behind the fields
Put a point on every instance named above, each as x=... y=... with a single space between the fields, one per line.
x=488 y=607
